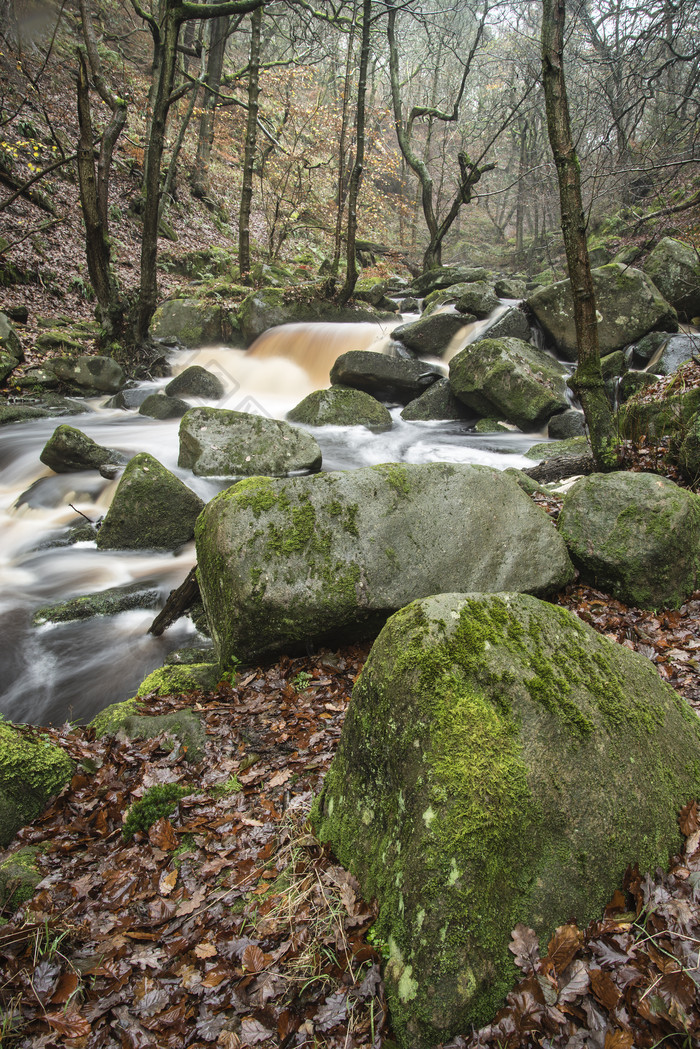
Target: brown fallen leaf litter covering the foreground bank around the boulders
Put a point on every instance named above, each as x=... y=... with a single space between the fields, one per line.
x=227 y=924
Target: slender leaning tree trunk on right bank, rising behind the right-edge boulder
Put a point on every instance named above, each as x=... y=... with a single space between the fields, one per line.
x=587 y=381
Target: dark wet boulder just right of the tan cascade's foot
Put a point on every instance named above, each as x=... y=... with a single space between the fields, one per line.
x=387 y=378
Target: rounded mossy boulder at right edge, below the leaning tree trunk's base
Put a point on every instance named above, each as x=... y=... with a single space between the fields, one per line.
x=637 y=536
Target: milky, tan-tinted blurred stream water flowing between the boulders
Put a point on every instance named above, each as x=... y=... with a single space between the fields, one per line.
x=65 y=672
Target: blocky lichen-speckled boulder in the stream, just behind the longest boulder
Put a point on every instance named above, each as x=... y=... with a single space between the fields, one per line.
x=220 y=443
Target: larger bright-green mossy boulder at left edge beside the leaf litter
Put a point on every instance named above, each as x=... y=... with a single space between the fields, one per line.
x=32 y=770
